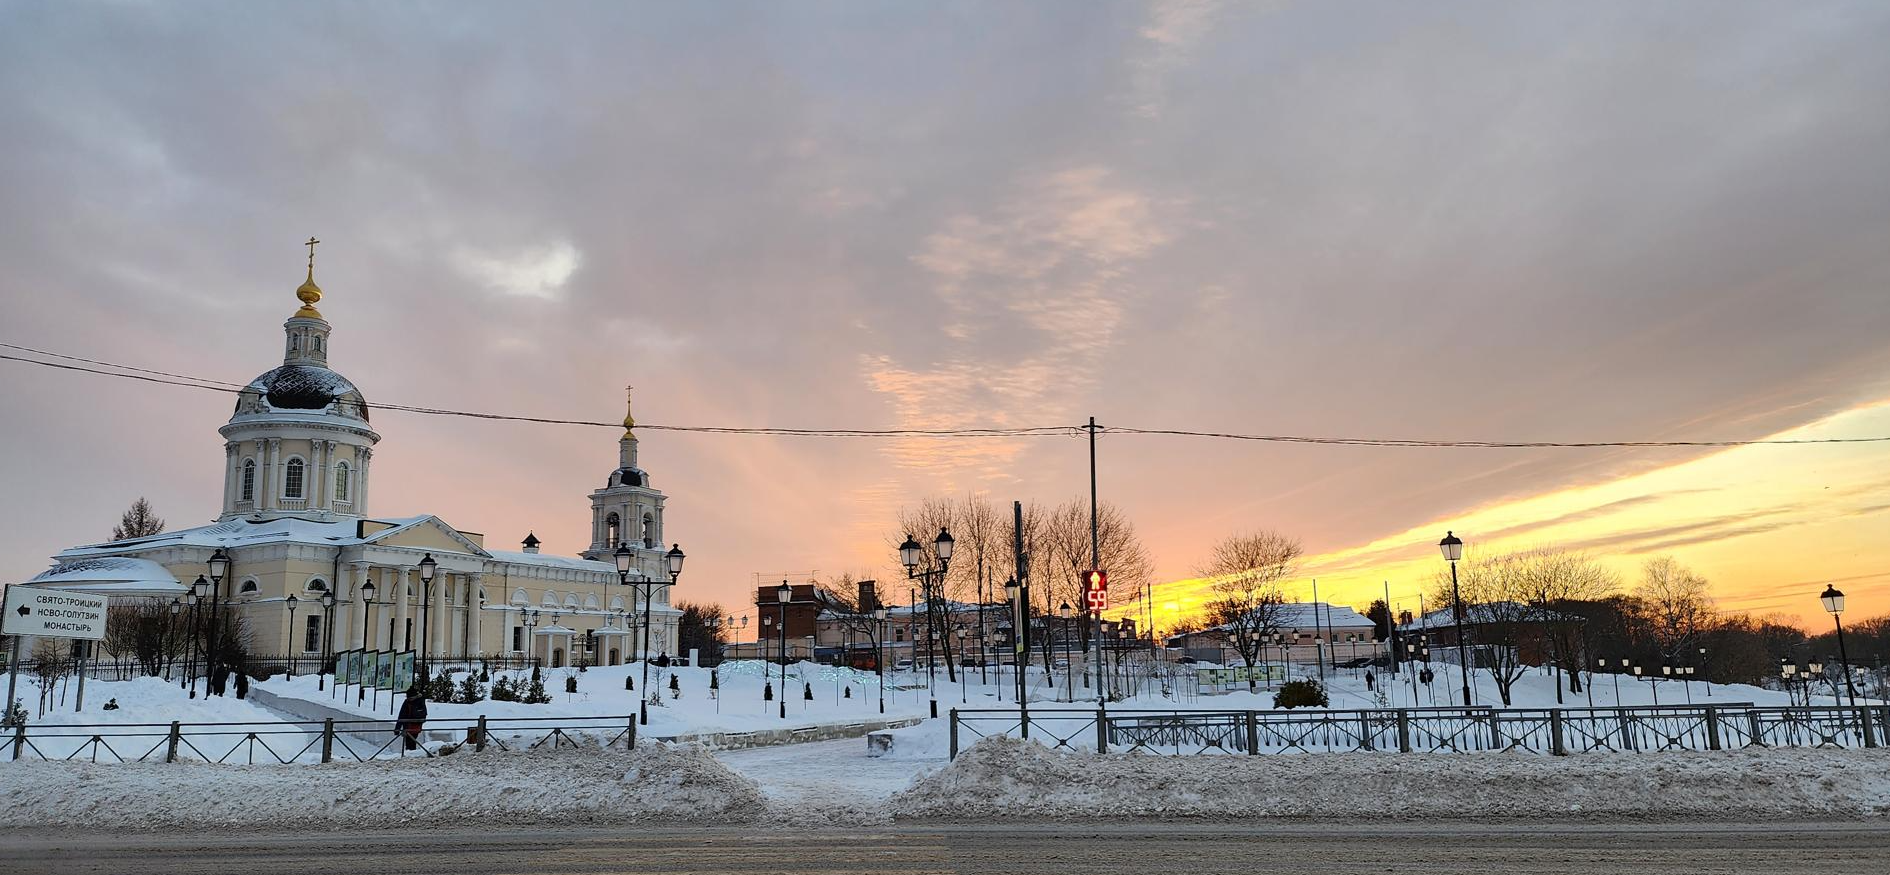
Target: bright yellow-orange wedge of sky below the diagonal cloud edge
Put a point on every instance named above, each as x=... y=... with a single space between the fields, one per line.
x=1766 y=524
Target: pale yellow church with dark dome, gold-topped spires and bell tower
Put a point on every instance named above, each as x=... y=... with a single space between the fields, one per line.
x=298 y=524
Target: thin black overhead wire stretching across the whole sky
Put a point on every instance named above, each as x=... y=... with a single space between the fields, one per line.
x=198 y=383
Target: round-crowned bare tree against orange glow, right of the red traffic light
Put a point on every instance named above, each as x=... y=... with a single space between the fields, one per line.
x=1245 y=575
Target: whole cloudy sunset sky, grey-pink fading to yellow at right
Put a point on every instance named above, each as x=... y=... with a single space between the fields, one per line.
x=1494 y=222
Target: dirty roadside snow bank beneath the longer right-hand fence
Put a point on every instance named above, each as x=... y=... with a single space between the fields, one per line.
x=1010 y=778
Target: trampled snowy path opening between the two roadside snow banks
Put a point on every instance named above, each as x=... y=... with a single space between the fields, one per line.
x=827 y=776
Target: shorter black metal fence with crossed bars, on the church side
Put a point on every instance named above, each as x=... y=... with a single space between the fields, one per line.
x=305 y=742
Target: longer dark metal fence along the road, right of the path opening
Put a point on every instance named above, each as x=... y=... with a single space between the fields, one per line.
x=1432 y=730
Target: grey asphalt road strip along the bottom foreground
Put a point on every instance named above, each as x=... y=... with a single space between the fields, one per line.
x=1065 y=849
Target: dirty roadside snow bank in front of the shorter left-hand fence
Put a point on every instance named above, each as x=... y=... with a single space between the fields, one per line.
x=591 y=785
